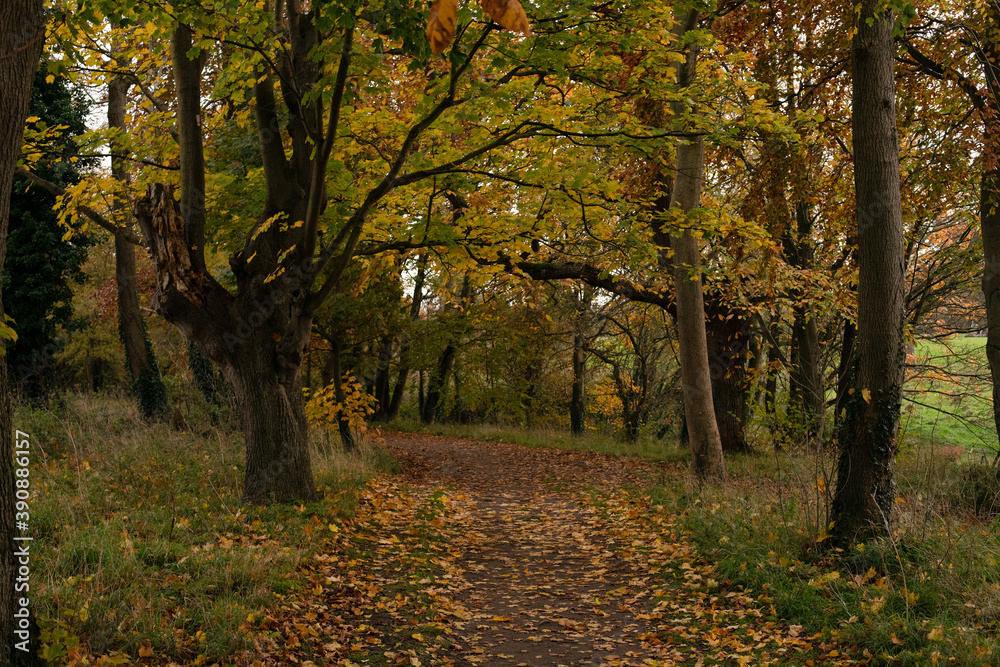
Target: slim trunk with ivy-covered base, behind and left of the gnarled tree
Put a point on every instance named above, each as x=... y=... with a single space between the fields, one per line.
x=147 y=385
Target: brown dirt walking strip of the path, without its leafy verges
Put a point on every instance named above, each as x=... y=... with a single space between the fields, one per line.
x=544 y=584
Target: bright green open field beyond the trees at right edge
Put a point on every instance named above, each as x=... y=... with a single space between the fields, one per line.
x=947 y=395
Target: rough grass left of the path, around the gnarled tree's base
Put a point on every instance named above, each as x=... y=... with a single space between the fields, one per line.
x=140 y=540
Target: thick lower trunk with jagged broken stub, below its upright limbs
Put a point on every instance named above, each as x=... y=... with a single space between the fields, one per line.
x=262 y=367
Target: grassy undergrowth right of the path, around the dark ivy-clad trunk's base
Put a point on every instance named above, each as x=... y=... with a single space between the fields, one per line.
x=926 y=594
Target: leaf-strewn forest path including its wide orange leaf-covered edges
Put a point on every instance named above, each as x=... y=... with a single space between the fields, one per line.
x=485 y=553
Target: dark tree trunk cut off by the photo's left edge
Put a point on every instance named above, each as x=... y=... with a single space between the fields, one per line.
x=22 y=31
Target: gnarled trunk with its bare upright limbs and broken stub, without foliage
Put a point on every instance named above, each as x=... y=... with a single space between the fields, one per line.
x=256 y=336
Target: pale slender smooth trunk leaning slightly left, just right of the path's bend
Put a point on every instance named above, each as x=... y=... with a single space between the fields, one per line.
x=696 y=382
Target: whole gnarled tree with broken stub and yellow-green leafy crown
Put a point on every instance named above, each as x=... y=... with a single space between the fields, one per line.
x=305 y=73
